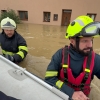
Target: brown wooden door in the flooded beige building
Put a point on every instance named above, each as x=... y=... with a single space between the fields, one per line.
x=66 y=15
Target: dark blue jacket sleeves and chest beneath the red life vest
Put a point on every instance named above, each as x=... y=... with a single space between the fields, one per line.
x=76 y=62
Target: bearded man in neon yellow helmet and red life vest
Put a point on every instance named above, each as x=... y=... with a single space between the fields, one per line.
x=72 y=67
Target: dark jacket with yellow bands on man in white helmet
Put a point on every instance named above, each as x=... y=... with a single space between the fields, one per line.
x=15 y=46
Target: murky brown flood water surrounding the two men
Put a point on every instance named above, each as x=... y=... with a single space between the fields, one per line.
x=43 y=41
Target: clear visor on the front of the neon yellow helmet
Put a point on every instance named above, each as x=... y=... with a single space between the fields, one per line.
x=92 y=29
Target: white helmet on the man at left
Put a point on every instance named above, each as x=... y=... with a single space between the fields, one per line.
x=8 y=23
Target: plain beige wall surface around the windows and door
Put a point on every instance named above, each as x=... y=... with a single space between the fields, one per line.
x=35 y=8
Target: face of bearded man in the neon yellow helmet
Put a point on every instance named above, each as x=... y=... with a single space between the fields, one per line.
x=85 y=44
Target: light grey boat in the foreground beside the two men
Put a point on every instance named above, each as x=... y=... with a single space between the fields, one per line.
x=17 y=82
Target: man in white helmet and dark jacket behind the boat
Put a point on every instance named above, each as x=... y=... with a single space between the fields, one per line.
x=13 y=45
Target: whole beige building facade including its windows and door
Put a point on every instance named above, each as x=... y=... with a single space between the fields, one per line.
x=52 y=12
